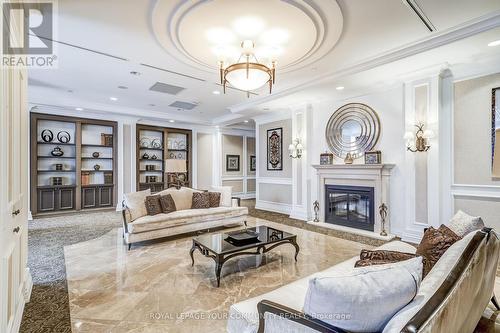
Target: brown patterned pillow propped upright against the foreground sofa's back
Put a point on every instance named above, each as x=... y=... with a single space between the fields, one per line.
x=434 y=244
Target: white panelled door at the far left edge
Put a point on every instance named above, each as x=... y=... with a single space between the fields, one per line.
x=15 y=281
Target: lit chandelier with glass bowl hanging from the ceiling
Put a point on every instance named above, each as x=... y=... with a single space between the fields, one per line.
x=247 y=73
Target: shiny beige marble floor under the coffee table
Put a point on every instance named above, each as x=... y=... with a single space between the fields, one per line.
x=153 y=287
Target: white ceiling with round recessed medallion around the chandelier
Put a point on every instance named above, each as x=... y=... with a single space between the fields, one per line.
x=176 y=45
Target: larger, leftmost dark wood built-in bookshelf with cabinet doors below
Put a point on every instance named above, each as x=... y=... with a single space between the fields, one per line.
x=81 y=184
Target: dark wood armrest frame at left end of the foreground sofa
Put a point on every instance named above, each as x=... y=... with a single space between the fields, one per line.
x=293 y=315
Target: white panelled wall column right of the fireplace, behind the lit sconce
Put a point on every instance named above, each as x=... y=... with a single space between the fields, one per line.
x=428 y=174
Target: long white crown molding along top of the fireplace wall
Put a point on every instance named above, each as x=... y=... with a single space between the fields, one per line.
x=464 y=30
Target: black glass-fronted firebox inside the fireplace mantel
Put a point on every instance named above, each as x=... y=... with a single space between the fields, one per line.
x=350 y=206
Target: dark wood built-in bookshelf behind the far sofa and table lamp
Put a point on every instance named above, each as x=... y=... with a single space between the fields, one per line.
x=171 y=143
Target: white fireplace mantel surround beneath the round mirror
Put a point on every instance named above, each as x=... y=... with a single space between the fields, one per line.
x=368 y=175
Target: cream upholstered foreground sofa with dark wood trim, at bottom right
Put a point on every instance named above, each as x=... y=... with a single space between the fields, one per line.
x=451 y=298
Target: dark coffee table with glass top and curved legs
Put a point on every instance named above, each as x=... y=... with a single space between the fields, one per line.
x=250 y=241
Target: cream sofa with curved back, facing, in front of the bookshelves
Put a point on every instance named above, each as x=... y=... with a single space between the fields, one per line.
x=138 y=226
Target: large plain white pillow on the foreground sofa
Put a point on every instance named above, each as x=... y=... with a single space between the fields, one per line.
x=363 y=299
